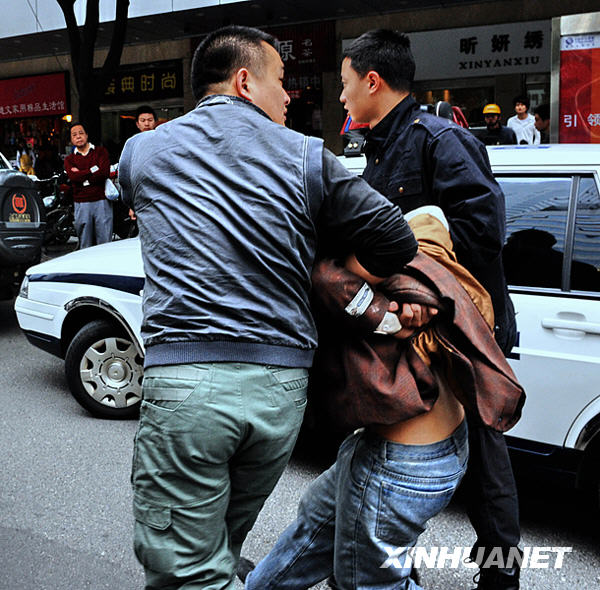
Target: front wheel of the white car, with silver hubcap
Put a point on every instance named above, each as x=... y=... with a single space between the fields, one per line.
x=104 y=371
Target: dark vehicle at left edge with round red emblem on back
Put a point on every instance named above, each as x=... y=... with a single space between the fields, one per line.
x=22 y=222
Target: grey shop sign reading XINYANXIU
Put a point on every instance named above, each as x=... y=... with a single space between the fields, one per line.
x=512 y=48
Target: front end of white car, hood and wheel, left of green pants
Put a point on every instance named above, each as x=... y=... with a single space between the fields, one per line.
x=86 y=307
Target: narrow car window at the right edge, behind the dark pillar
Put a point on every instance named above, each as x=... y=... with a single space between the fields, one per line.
x=585 y=265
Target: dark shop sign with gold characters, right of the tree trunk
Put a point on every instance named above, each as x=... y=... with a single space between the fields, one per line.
x=145 y=82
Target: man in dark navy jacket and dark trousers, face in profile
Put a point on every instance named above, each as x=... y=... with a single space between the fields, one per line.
x=417 y=159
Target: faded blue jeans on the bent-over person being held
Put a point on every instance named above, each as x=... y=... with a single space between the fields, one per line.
x=373 y=503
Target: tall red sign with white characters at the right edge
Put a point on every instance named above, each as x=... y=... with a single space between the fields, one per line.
x=579 y=118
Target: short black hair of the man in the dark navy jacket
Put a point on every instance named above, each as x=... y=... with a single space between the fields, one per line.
x=385 y=52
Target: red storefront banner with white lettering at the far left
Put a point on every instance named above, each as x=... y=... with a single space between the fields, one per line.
x=33 y=96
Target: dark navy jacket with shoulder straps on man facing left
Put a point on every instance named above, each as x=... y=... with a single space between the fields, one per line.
x=417 y=159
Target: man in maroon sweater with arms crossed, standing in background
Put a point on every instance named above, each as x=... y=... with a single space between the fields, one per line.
x=88 y=167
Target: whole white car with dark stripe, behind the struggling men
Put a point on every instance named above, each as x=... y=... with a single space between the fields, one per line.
x=86 y=307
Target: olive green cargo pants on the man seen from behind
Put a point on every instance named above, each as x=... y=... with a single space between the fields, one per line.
x=212 y=441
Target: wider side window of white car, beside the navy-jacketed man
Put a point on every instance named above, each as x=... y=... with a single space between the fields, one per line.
x=536 y=219
